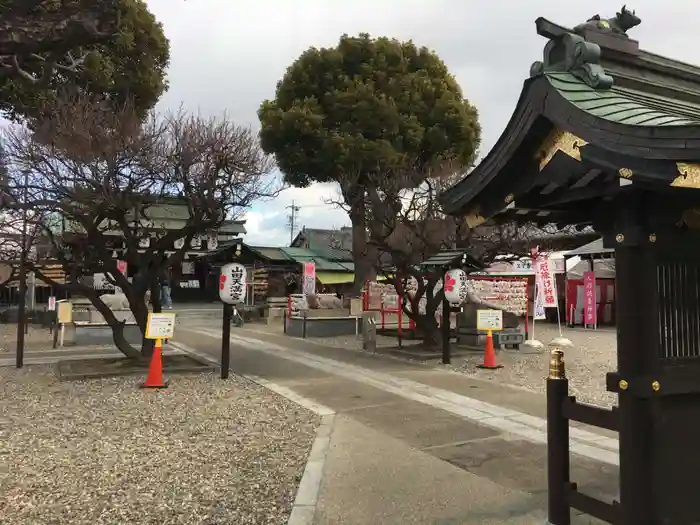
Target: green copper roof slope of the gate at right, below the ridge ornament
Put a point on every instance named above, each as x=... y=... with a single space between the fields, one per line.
x=625 y=106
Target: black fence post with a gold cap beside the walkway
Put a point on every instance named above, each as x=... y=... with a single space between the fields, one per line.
x=557 y=442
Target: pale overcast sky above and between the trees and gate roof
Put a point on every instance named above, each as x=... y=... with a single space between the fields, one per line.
x=228 y=55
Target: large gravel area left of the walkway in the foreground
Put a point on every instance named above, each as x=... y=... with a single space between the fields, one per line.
x=204 y=451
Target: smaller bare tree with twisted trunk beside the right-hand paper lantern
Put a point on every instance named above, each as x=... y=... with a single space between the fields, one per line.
x=406 y=226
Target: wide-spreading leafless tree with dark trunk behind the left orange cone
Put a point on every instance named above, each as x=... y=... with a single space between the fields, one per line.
x=100 y=178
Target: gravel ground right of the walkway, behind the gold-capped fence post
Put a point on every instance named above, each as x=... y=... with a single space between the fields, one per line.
x=592 y=356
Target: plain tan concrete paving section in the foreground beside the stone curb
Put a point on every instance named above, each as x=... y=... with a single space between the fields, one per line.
x=372 y=478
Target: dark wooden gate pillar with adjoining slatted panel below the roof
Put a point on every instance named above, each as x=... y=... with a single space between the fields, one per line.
x=657 y=263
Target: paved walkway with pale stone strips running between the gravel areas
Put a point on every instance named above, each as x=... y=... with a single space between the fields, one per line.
x=413 y=444
